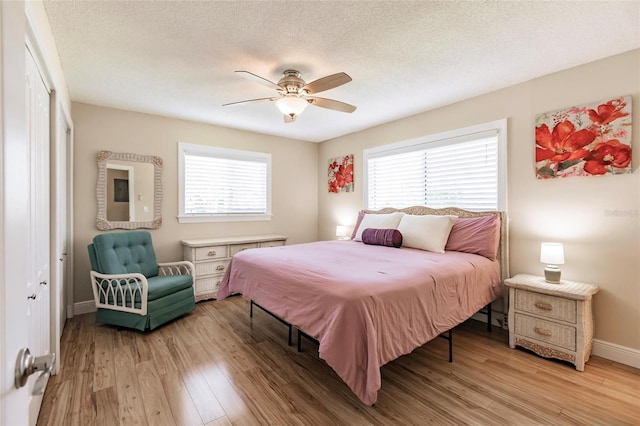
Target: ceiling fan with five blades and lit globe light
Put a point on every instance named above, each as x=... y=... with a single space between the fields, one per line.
x=294 y=93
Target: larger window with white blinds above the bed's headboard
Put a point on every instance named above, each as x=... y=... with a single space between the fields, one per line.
x=465 y=168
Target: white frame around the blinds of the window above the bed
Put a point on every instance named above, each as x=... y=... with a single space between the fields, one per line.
x=497 y=128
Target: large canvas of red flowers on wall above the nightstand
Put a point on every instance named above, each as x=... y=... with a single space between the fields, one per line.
x=589 y=140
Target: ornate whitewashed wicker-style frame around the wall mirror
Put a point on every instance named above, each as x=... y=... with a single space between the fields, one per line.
x=101 y=191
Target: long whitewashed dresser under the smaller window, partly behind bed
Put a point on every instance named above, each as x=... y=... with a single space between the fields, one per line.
x=211 y=257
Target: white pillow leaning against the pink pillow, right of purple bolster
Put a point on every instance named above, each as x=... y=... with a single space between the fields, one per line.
x=426 y=232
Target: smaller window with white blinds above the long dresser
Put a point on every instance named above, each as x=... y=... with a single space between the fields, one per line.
x=218 y=184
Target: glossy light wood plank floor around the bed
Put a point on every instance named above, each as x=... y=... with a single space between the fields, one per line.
x=216 y=366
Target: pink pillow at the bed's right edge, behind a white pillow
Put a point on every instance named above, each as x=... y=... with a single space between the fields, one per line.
x=477 y=235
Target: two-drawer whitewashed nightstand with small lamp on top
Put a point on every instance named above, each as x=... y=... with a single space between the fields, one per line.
x=552 y=320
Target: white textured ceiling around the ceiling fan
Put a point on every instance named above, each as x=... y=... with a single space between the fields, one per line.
x=178 y=58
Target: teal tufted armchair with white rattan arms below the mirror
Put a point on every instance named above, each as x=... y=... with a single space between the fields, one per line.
x=131 y=289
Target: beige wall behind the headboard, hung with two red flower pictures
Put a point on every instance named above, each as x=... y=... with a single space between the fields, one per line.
x=597 y=218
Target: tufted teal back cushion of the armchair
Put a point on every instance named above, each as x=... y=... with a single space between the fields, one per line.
x=125 y=253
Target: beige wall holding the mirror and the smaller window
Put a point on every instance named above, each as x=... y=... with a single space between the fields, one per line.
x=294 y=180
